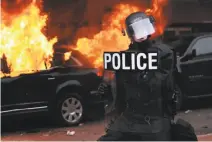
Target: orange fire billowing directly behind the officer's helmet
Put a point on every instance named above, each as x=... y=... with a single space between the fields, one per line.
x=111 y=38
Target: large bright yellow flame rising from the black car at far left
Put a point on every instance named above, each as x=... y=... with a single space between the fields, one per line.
x=26 y=48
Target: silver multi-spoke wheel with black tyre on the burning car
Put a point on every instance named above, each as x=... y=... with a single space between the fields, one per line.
x=70 y=109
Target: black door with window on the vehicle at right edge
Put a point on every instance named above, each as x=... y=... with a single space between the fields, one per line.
x=197 y=70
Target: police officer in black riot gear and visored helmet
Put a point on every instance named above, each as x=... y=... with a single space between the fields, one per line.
x=144 y=105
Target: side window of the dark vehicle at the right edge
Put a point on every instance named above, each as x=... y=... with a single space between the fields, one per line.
x=203 y=46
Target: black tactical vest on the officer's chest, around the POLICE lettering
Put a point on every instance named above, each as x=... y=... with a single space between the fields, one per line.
x=143 y=88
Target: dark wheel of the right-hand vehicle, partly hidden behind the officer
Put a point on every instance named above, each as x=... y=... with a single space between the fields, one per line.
x=179 y=97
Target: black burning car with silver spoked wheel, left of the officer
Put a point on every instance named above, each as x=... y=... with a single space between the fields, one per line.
x=66 y=92
